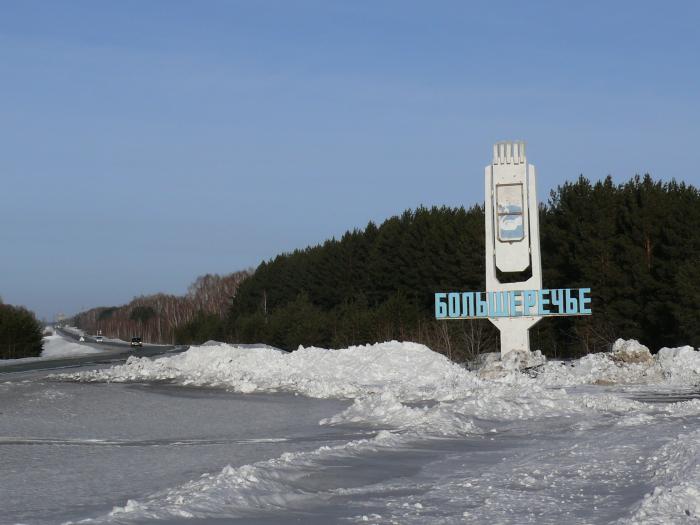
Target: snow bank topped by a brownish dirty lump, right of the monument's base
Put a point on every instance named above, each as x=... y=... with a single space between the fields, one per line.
x=629 y=363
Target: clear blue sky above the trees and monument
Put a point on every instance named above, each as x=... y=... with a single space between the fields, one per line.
x=146 y=143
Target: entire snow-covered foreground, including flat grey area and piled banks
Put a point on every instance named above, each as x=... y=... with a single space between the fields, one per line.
x=386 y=433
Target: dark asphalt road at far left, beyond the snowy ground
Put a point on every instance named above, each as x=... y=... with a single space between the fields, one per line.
x=113 y=353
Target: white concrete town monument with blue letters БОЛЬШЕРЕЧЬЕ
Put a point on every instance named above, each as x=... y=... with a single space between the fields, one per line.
x=514 y=299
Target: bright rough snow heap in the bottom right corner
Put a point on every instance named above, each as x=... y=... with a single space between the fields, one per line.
x=676 y=497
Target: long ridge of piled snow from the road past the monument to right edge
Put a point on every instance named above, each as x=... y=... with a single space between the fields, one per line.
x=408 y=371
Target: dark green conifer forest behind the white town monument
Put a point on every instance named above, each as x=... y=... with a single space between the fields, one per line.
x=635 y=244
